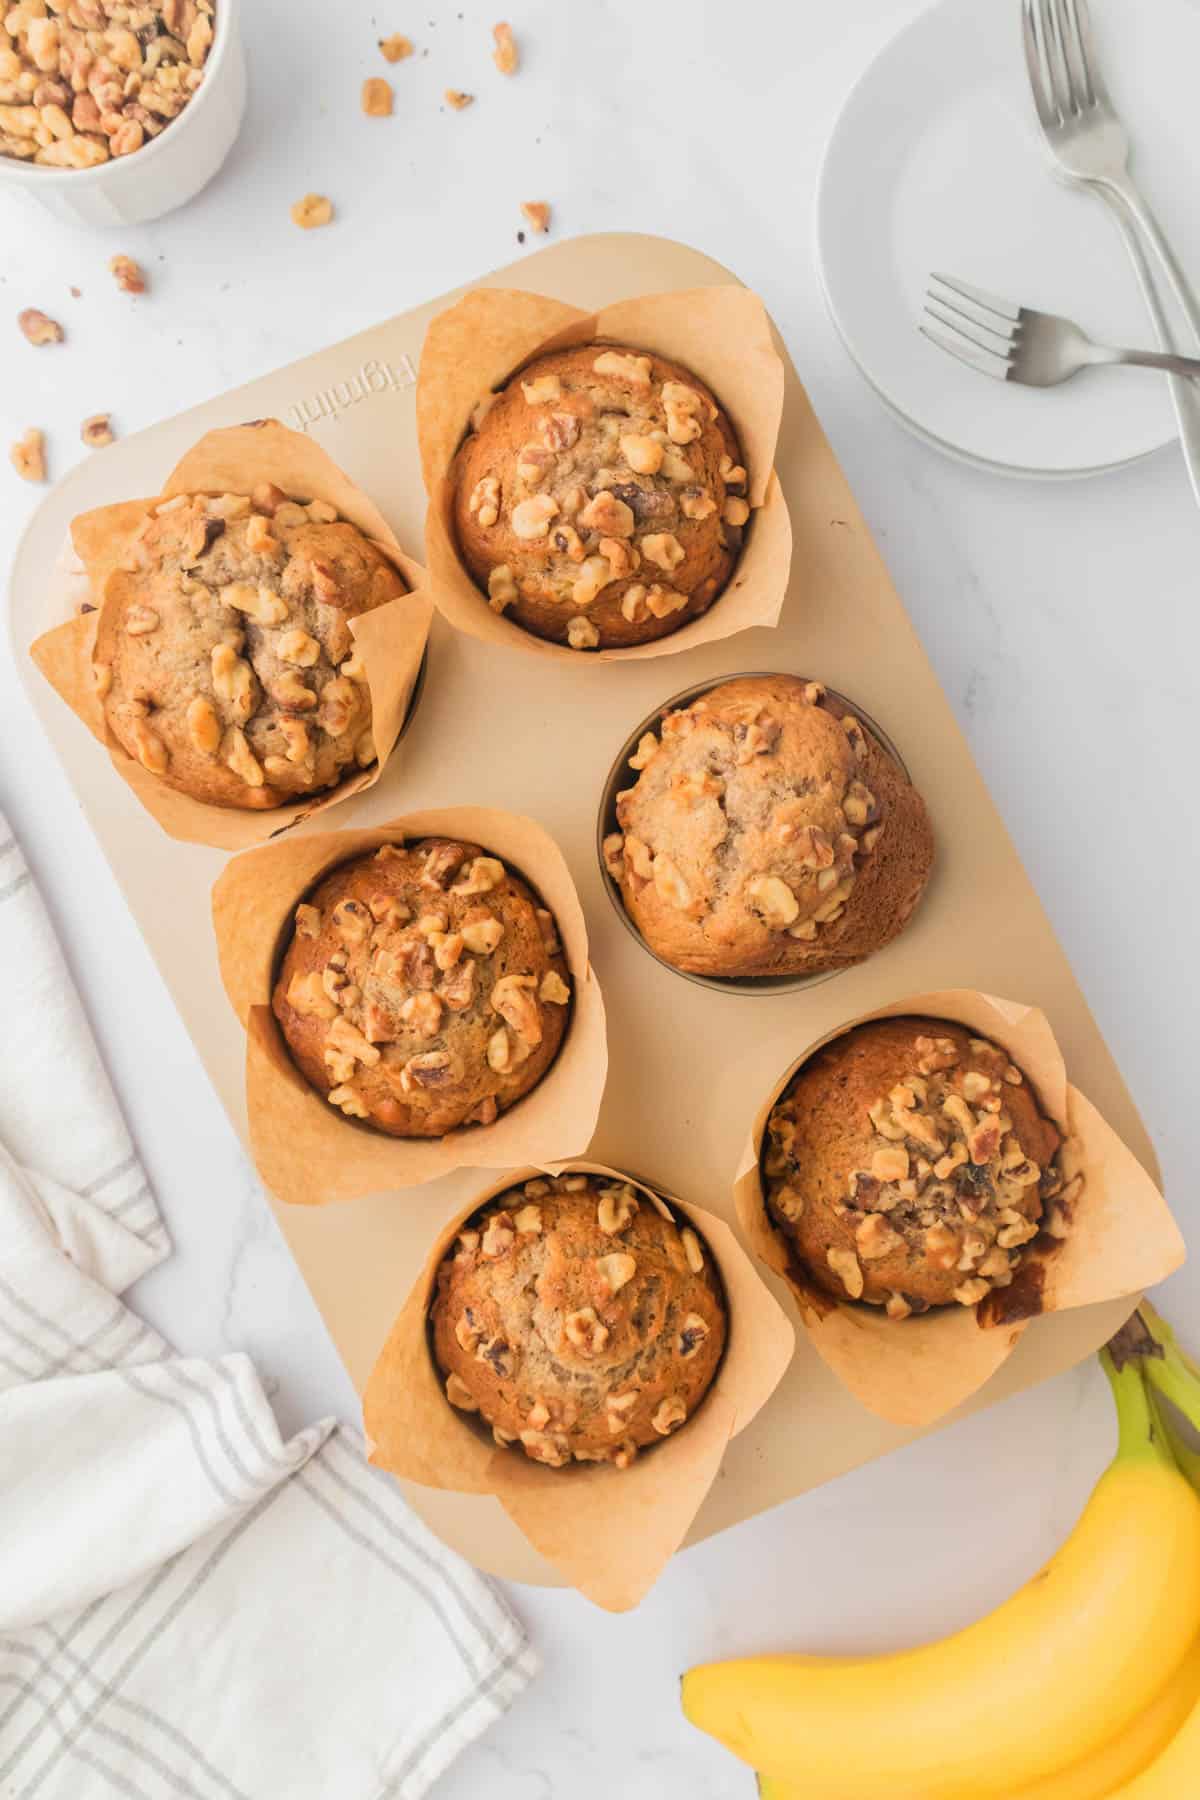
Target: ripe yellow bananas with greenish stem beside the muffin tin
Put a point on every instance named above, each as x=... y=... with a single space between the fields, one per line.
x=1084 y=1686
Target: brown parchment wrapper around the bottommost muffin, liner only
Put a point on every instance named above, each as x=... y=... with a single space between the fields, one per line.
x=611 y=1533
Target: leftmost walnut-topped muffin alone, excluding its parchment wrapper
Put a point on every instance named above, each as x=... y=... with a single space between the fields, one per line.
x=224 y=654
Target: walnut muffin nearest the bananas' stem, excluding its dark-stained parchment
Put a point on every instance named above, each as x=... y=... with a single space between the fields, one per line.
x=909 y=1165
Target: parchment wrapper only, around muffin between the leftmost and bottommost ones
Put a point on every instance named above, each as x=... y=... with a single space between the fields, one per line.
x=305 y=1149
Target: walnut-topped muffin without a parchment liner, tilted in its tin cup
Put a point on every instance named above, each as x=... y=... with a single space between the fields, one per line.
x=767 y=834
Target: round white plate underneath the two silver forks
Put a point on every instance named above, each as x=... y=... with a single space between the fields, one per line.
x=936 y=163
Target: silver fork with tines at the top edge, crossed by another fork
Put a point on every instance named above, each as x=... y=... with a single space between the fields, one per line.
x=1091 y=148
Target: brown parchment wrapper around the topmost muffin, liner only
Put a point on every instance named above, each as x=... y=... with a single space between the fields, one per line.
x=722 y=334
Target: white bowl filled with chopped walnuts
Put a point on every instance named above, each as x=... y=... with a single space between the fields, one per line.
x=114 y=112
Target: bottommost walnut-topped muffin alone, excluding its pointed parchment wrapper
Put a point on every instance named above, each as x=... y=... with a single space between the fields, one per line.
x=578 y=1320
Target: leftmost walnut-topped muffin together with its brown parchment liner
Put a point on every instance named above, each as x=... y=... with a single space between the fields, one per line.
x=238 y=751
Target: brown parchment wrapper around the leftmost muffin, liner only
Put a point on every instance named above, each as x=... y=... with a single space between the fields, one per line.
x=391 y=638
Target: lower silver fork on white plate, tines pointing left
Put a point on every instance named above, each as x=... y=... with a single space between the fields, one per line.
x=1021 y=345
